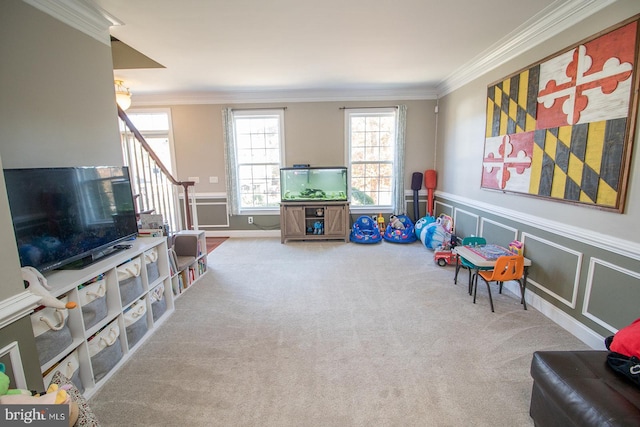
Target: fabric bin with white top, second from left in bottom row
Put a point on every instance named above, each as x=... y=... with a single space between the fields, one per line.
x=105 y=350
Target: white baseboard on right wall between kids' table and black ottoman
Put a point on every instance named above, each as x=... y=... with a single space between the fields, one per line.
x=580 y=331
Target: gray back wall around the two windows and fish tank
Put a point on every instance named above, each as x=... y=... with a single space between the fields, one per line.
x=314 y=133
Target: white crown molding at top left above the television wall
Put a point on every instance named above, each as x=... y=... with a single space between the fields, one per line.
x=78 y=14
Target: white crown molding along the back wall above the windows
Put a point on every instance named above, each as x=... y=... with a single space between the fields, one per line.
x=271 y=96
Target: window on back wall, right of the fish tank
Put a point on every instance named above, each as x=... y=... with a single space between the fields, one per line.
x=371 y=143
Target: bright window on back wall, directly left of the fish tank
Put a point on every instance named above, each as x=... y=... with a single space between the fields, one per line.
x=258 y=149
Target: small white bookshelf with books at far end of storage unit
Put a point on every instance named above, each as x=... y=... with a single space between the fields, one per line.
x=183 y=277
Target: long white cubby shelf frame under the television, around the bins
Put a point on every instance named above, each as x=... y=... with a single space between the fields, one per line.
x=66 y=282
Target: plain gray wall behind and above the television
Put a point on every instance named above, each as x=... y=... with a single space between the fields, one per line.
x=57 y=106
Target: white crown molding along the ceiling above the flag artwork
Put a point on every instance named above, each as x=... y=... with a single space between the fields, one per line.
x=541 y=27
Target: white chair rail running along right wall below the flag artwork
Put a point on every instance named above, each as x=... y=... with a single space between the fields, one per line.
x=589 y=237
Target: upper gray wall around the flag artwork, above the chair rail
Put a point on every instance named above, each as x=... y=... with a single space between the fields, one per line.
x=461 y=127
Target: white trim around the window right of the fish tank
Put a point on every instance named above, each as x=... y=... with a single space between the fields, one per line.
x=348 y=113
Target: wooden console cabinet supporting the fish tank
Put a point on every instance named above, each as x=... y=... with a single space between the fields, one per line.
x=314 y=221
